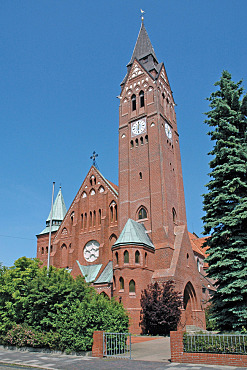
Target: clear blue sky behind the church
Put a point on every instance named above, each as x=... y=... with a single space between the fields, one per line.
x=61 y=64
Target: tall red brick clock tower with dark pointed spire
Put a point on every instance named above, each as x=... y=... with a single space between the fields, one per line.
x=150 y=174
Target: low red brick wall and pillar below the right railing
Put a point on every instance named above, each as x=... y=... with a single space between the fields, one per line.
x=178 y=355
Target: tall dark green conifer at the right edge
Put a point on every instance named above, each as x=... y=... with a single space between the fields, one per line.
x=225 y=204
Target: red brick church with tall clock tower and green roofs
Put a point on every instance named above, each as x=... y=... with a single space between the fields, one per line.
x=121 y=238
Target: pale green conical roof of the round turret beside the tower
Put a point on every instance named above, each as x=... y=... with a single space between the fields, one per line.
x=134 y=233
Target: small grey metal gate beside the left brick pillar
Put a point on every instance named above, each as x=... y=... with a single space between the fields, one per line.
x=117 y=345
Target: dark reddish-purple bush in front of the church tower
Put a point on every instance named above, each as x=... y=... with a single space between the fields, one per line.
x=161 y=308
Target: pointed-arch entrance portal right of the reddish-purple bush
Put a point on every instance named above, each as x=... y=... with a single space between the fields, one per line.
x=189 y=304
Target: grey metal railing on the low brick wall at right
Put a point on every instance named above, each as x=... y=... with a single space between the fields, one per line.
x=215 y=343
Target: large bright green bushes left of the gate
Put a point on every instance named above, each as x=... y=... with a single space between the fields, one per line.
x=54 y=310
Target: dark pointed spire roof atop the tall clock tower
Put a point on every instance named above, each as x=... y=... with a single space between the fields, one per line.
x=143 y=46
